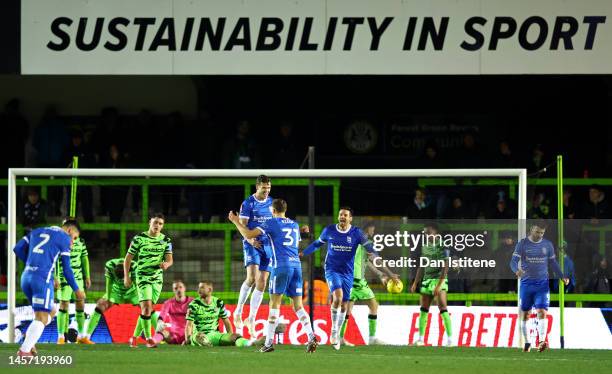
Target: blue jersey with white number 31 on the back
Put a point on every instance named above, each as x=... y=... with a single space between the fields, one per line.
x=284 y=239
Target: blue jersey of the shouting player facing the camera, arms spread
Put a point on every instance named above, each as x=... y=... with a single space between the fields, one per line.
x=341 y=247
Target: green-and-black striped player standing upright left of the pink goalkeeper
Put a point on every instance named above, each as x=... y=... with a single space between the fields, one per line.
x=153 y=253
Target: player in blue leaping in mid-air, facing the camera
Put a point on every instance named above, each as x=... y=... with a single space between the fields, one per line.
x=255 y=210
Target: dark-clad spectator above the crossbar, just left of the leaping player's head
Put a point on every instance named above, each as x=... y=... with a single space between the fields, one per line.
x=241 y=152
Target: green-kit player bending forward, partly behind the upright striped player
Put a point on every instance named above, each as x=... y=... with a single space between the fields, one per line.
x=116 y=293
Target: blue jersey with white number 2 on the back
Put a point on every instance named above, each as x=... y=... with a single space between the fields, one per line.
x=44 y=246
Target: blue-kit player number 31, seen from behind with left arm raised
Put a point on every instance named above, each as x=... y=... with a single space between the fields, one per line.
x=284 y=235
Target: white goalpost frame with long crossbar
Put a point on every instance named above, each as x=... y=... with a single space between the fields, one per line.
x=14 y=174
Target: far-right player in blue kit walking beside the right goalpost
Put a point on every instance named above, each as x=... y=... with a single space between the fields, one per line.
x=535 y=254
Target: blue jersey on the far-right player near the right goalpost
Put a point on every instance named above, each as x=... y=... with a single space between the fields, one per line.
x=534 y=259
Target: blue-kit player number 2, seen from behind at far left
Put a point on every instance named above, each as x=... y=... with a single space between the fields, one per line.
x=40 y=250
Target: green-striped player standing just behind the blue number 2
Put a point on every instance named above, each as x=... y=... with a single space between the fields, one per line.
x=79 y=262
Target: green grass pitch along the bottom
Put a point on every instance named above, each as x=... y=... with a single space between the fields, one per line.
x=114 y=359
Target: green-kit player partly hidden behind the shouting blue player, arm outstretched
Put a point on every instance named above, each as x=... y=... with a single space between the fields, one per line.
x=361 y=291
